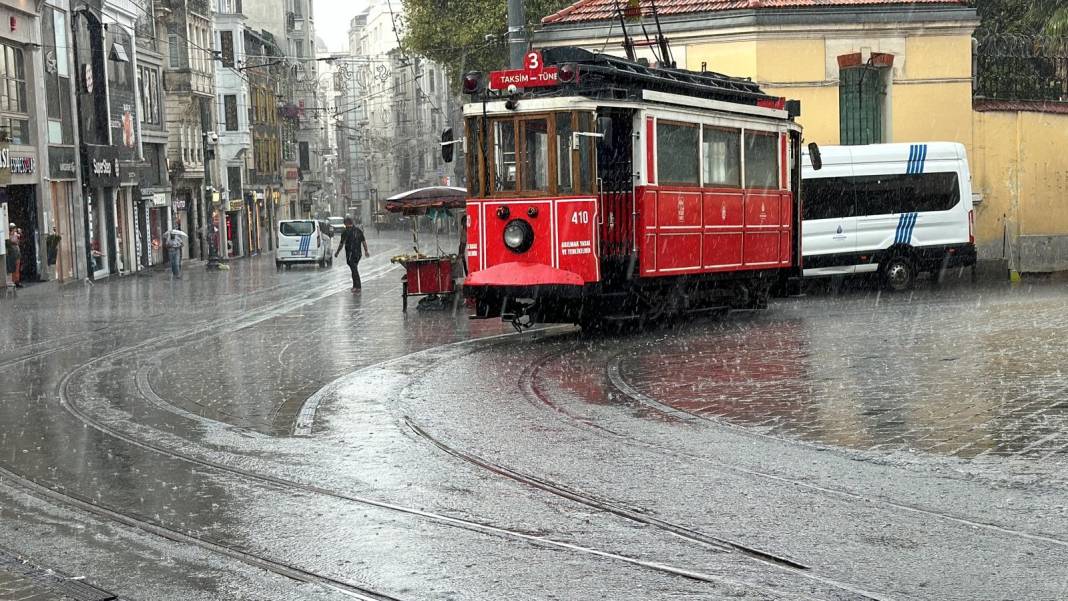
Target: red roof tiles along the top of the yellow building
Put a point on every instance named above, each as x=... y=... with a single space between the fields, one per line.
x=601 y=10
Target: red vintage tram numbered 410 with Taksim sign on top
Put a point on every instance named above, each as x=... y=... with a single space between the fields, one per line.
x=605 y=189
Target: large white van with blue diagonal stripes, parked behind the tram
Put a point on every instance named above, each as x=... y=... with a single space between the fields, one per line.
x=892 y=210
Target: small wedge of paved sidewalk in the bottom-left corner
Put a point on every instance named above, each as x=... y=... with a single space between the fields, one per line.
x=21 y=581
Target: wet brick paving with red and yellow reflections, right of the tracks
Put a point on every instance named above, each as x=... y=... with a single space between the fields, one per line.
x=963 y=373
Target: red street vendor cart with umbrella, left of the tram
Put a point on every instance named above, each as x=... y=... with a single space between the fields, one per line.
x=431 y=277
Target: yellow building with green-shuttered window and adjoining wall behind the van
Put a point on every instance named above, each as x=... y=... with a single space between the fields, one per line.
x=871 y=72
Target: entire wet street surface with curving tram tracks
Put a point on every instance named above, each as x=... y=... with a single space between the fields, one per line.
x=263 y=435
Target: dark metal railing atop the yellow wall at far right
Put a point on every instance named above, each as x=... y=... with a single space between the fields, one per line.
x=1022 y=68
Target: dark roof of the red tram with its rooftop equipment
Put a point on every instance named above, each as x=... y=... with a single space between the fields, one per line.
x=608 y=77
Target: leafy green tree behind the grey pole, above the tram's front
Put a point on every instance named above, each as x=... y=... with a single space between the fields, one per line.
x=466 y=35
